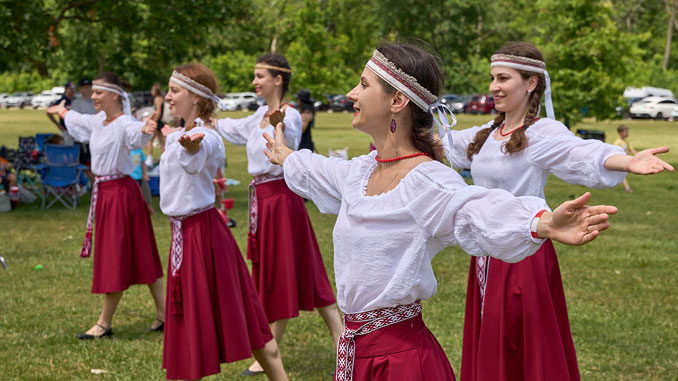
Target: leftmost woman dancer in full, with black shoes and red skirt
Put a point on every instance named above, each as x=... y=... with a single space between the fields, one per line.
x=126 y=252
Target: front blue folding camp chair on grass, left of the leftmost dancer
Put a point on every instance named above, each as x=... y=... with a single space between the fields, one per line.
x=60 y=175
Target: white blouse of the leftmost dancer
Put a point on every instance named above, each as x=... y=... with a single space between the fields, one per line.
x=109 y=145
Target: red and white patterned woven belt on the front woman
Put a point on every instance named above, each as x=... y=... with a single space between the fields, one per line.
x=373 y=320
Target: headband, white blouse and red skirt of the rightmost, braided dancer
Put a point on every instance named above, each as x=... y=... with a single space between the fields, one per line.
x=516 y=325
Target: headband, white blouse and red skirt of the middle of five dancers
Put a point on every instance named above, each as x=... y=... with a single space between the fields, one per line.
x=287 y=266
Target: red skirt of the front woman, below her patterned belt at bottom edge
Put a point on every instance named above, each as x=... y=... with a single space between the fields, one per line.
x=403 y=351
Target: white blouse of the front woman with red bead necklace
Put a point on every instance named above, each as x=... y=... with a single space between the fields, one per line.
x=384 y=244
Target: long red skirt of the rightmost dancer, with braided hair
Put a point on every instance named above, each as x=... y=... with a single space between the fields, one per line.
x=524 y=333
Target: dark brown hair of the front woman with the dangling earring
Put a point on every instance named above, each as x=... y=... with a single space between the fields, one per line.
x=425 y=67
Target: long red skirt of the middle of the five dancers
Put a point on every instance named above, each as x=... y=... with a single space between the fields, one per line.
x=287 y=267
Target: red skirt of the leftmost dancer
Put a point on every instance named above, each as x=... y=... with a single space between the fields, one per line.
x=125 y=252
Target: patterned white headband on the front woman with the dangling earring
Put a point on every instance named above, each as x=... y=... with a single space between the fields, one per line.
x=402 y=81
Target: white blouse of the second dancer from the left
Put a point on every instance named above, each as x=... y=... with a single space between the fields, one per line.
x=186 y=179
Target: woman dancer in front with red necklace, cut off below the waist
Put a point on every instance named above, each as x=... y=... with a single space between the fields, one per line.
x=398 y=206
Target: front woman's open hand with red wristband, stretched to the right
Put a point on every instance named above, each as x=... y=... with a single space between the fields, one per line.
x=574 y=222
